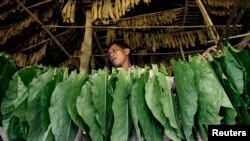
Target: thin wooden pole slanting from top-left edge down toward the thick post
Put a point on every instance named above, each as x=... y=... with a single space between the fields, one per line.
x=45 y=28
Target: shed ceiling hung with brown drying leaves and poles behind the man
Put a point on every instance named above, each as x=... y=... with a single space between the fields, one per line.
x=51 y=32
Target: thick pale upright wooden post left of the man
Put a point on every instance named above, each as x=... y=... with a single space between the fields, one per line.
x=86 y=48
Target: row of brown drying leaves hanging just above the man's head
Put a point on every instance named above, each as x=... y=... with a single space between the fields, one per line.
x=153 y=42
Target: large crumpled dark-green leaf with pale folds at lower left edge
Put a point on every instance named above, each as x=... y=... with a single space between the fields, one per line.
x=14 y=104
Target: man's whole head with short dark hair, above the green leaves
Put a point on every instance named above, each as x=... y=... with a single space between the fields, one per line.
x=118 y=53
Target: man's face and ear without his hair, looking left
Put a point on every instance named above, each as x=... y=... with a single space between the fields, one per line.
x=118 y=55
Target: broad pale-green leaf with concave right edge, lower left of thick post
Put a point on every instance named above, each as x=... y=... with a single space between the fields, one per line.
x=63 y=128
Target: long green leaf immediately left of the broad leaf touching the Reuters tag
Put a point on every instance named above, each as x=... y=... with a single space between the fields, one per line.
x=187 y=95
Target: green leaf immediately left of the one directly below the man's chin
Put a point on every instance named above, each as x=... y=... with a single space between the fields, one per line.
x=101 y=99
